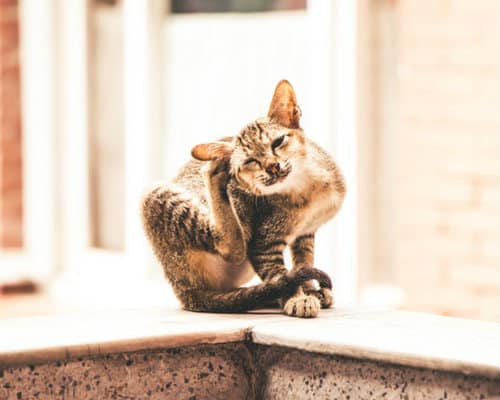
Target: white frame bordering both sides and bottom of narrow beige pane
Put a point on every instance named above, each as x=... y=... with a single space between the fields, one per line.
x=81 y=260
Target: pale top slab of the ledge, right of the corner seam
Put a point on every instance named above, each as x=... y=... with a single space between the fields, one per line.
x=412 y=339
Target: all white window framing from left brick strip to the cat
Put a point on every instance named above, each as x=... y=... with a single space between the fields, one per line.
x=54 y=47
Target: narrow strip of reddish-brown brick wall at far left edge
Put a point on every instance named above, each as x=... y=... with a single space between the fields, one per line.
x=10 y=128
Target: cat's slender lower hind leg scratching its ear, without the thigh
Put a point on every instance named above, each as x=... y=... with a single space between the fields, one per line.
x=228 y=235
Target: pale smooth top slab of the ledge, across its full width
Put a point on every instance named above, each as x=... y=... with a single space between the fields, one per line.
x=405 y=338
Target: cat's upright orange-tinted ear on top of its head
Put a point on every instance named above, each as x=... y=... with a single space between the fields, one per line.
x=284 y=109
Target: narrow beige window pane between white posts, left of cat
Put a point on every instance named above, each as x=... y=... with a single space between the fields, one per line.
x=106 y=131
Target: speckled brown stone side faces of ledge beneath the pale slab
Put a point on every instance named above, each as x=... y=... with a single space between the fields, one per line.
x=235 y=371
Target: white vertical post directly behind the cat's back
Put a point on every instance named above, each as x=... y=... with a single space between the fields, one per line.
x=143 y=21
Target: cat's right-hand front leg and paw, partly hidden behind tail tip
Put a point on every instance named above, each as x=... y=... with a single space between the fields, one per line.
x=302 y=250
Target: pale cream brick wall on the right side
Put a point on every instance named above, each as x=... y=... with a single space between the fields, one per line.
x=445 y=151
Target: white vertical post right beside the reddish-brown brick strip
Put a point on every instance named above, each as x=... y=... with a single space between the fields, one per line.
x=38 y=69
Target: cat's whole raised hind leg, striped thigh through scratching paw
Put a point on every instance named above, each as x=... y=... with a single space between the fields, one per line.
x=181 y=224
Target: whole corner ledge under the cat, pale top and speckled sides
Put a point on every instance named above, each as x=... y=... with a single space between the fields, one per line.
x=342 y=354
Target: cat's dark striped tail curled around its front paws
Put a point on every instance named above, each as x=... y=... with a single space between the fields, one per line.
x=253 y=297
